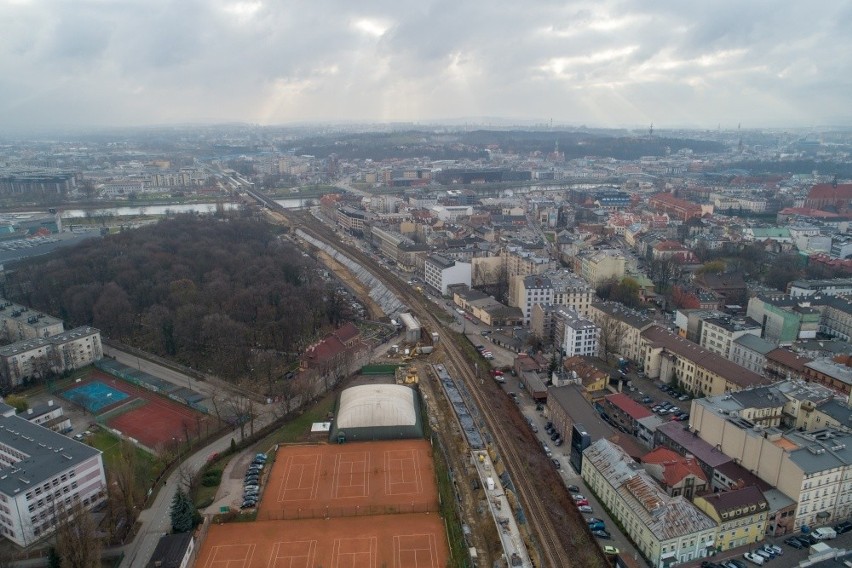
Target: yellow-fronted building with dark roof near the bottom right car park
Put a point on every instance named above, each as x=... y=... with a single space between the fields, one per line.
x=741 y=514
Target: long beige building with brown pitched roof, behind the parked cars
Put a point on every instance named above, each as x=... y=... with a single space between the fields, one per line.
x=673 y=359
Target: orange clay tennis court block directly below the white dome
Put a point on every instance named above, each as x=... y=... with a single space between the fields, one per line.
x=350 y=479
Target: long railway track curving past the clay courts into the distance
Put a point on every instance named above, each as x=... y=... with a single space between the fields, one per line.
x=543 y=527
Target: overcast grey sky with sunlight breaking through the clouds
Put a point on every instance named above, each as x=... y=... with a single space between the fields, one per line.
x=599 y=63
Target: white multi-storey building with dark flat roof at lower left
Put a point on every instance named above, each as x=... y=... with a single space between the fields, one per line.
x=42 y=473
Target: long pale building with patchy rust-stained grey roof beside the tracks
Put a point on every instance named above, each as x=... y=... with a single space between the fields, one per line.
x=667 y=530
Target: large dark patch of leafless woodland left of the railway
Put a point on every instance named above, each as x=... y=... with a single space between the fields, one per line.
x=223 y=295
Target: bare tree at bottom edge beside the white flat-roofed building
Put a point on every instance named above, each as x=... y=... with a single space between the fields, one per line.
x=77 y=539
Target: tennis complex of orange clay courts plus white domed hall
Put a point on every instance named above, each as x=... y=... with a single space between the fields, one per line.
x=363 y=504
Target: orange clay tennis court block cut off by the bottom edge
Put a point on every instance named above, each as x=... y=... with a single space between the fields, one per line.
x=394 y=541
